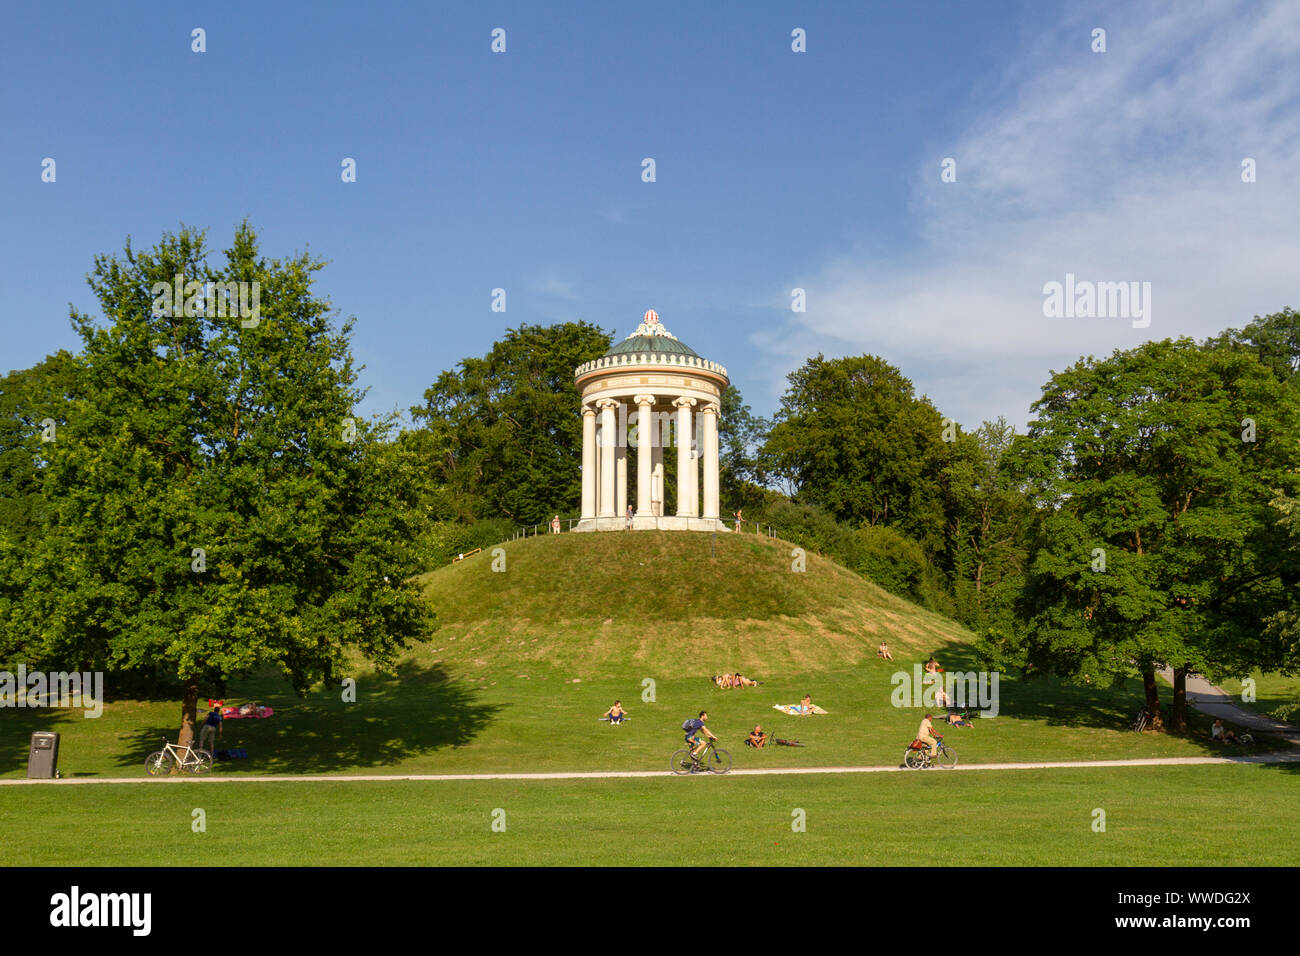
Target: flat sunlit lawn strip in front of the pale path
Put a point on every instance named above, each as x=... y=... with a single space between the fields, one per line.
x=1155 y=816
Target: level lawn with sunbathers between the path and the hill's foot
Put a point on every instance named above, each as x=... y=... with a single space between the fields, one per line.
x=427 y=721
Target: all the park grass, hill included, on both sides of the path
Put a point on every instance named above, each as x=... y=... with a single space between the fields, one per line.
x=523 y=665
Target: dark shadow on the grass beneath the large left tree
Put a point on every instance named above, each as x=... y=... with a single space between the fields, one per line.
x=417 y=711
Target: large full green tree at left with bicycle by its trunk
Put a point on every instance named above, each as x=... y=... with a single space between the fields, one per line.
x=213 y=503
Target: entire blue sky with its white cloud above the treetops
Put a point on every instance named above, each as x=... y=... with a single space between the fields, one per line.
x=774 y=171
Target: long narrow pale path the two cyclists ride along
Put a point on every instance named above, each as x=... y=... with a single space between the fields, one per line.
x=1285 y=758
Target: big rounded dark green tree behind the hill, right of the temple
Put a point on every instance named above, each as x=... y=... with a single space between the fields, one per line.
x=853 y=438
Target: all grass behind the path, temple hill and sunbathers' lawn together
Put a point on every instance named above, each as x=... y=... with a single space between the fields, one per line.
x=525 y=661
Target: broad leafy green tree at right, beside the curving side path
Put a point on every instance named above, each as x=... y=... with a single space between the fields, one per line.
x=1156 y=465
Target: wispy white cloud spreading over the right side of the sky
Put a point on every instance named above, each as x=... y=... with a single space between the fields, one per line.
x=1116 y=167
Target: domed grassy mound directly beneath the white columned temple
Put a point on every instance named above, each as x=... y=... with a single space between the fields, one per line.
x=681 y=605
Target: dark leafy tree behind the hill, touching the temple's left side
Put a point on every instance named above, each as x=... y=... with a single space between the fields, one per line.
x=504 y=434
